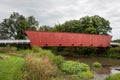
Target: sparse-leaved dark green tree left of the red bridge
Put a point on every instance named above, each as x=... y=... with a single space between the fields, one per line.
x=14 y=26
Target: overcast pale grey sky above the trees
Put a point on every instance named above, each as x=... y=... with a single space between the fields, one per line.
x=51 y=12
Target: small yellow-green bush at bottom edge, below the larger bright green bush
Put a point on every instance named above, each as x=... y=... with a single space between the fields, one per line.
x=85 y=75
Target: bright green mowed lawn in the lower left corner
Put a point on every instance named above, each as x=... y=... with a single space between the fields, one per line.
x=10 y=67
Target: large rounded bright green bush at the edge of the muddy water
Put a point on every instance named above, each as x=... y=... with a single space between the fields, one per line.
x=72 y=67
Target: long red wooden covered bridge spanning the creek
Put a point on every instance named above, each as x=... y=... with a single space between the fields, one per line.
x=43 y=39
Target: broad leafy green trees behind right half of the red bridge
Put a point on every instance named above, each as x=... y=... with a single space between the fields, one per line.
x=88 y=24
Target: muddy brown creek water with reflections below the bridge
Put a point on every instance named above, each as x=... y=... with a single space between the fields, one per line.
x=110 y=66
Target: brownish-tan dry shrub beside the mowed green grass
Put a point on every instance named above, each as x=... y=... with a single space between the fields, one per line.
x=39 y=68
